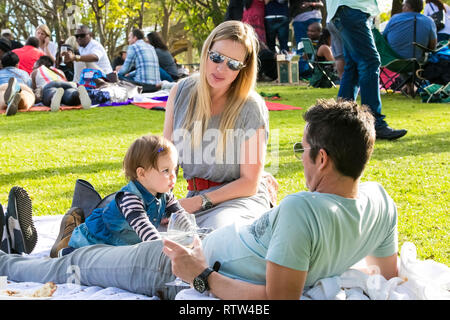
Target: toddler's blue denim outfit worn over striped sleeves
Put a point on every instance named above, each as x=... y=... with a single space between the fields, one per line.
x=109 y=226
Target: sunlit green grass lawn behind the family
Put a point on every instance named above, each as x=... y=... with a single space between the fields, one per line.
x=46 y=152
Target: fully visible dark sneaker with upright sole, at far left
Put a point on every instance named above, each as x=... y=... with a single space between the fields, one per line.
x=19 y=219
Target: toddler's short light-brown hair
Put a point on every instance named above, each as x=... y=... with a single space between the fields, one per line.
x=144 y=152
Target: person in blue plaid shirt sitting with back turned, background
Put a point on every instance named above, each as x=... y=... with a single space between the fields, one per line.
x=143 y=58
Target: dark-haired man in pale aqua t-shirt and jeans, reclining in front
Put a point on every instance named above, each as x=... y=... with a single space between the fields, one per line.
x=309 y=236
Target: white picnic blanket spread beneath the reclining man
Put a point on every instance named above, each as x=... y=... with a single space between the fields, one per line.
x=417 y=280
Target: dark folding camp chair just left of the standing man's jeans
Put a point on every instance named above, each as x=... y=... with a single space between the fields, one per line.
x=319 y=68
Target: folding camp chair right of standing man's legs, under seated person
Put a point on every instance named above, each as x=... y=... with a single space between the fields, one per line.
x=390 y=60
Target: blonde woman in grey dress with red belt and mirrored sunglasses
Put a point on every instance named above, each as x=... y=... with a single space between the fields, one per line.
x=219 y=125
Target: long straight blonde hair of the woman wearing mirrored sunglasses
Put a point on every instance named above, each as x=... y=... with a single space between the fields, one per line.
x=199 y=110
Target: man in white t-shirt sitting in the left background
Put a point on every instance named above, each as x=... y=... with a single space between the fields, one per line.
x=92 y=54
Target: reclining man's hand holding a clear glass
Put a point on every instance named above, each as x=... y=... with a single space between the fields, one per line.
x=186 y=263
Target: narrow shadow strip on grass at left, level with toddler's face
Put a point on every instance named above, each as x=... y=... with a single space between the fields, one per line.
x=12 y=178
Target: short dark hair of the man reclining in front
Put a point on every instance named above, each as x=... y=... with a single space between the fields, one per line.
x=344 y=130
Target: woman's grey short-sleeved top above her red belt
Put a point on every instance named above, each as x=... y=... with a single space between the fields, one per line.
x=201 y=161
